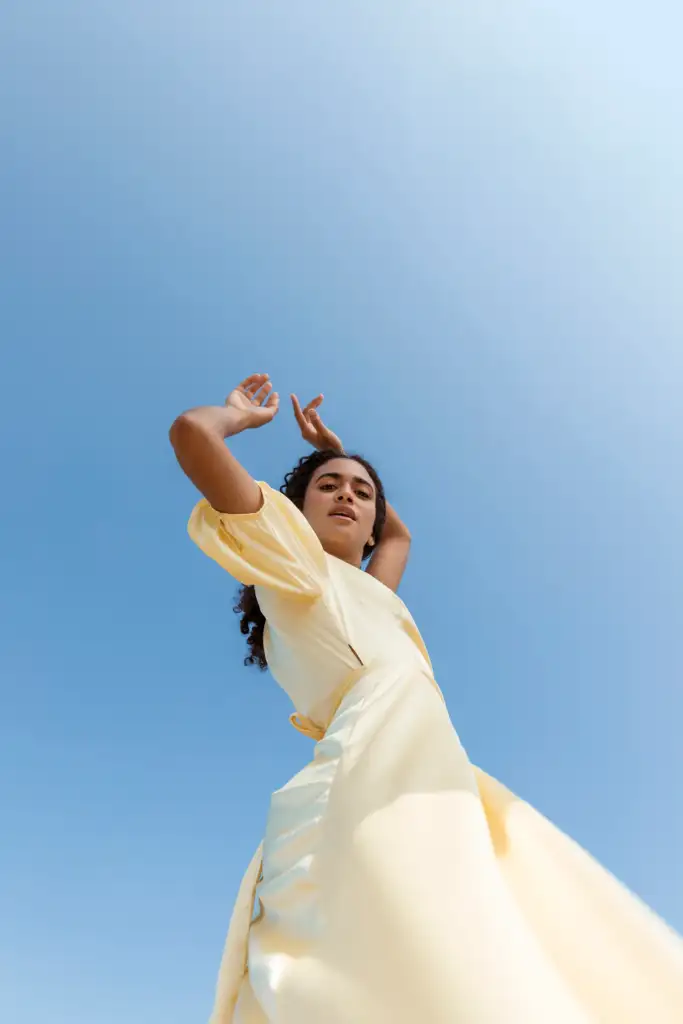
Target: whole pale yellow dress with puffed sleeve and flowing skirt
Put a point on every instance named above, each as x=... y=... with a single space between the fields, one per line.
x=397 y=883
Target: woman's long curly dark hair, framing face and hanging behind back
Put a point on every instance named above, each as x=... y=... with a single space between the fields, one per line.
x=296 y=483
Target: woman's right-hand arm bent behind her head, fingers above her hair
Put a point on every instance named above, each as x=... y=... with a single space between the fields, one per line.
x=390 y=560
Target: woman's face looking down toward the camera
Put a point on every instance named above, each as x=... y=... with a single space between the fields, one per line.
x=340 y=506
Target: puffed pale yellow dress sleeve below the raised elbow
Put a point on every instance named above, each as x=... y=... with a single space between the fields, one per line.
x=275 y=547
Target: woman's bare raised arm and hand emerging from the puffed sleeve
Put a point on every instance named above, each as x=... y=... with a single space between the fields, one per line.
x=199 y=437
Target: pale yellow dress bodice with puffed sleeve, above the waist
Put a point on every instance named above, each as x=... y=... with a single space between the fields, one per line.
x=324 y=617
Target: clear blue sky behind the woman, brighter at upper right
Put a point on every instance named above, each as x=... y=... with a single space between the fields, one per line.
x=463 y=224
